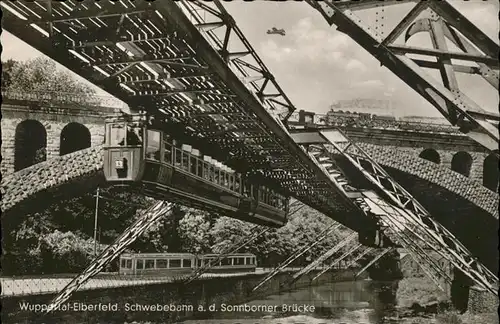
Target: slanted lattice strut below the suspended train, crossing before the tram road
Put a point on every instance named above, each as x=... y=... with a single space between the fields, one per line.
x=149 y=217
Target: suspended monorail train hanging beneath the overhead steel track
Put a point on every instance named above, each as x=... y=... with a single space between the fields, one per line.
x=137 y=154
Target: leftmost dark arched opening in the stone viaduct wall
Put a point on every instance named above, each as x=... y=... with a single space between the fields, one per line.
x=30 y=144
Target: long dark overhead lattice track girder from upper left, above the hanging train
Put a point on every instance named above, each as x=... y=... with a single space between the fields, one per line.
x=163 y=33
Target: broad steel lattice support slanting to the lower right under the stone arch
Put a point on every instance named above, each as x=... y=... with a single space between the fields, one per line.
x=402 y=218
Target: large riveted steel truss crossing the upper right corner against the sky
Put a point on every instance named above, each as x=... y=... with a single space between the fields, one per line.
x=443 y=23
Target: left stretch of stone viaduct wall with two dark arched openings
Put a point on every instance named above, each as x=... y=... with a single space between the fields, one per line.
x=35 y=129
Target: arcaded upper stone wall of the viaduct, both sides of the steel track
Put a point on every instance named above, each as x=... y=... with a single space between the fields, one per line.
x=35 y=131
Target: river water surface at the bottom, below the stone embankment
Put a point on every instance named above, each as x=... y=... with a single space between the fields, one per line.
x=354 y=302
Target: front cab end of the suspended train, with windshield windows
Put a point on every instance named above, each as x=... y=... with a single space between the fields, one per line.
x=124 y=148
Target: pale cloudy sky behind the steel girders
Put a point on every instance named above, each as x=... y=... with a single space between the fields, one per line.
x=316 y=65
